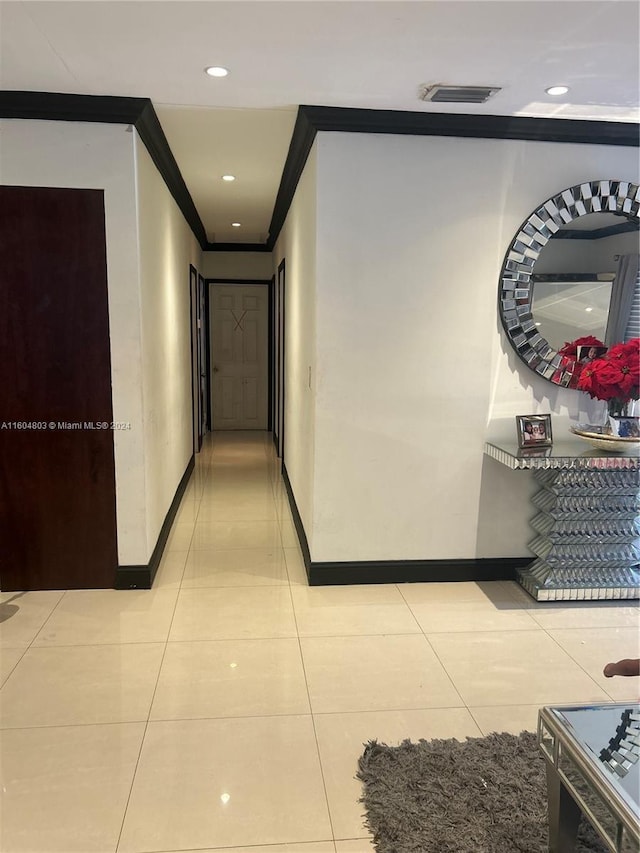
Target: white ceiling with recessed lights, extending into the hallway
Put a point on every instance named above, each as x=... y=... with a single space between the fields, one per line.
x=349 y=53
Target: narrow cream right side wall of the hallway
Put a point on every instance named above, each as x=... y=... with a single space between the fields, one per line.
x=296 y=245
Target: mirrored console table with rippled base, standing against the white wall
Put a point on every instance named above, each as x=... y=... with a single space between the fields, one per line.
x=586 y=521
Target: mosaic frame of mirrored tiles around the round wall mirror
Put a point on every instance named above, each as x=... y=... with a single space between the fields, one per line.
x=516 y=278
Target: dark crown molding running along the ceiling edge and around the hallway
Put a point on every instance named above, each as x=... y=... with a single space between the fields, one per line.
x=140 y=113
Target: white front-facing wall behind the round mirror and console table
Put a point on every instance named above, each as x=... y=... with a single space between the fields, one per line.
x=413 y=369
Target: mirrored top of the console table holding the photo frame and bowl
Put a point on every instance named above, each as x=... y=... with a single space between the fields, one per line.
x=567 y=453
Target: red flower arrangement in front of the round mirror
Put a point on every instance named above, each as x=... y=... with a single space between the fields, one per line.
x=613 y=376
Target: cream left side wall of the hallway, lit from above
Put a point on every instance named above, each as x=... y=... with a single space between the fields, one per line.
x=167 y=247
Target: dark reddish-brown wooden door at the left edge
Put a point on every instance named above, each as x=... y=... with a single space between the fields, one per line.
x=57 y=473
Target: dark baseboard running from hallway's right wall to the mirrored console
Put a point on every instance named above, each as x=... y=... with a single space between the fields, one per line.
x=400 y=571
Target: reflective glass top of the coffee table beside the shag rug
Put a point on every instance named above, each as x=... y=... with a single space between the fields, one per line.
x=609 y=736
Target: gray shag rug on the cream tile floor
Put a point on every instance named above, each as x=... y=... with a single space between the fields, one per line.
x=484 y=795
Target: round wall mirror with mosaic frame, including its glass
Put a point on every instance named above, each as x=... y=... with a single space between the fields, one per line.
x=562 y=269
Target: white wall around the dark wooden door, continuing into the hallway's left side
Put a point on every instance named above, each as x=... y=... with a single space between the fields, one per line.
x=102 y=156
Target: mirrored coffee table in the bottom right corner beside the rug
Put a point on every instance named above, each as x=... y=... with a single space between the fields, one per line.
x=592 y=756
